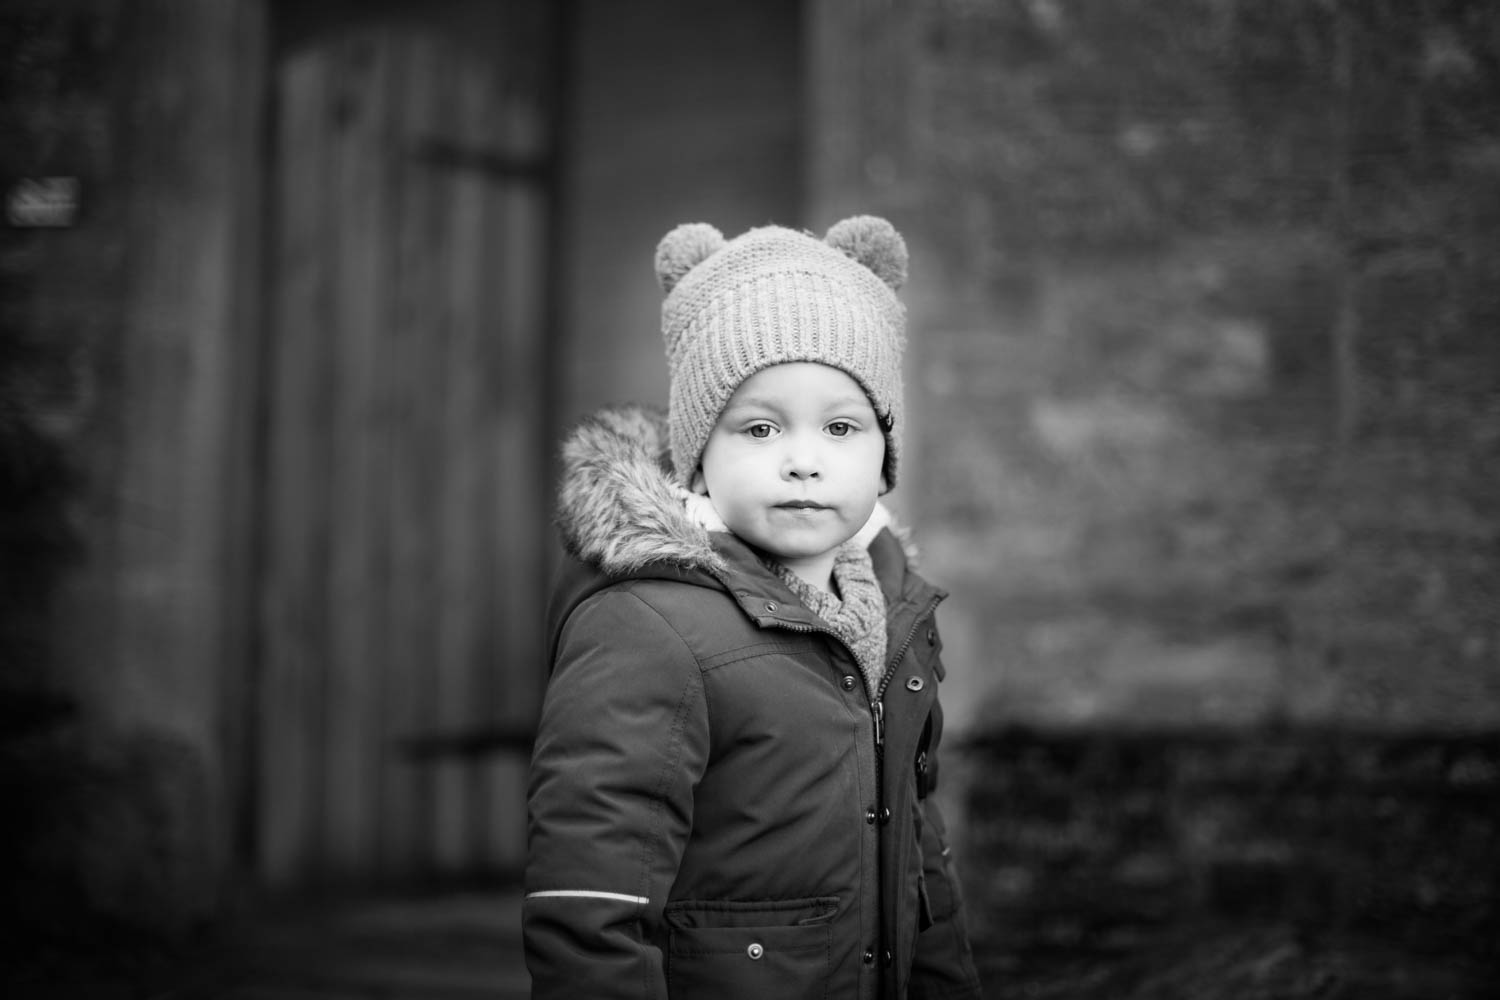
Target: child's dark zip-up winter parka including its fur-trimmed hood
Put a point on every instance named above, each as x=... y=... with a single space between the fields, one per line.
x=718 y=806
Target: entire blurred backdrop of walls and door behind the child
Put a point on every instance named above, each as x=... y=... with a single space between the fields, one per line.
x=298 y=298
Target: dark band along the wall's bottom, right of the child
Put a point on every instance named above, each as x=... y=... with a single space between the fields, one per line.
x=1240 y=866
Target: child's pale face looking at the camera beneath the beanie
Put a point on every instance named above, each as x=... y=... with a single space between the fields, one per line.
x=794 y=464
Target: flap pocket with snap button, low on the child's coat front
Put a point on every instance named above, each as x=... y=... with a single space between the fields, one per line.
x=731 y=951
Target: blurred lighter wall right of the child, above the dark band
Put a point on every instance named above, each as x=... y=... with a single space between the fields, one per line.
x=1204 y=365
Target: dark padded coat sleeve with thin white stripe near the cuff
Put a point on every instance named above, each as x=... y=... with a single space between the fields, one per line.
x=622 y=744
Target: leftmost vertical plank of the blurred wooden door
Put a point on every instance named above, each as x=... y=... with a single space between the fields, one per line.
x=293 y=608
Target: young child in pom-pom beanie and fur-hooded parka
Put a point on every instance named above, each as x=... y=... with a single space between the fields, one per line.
x=731 y=782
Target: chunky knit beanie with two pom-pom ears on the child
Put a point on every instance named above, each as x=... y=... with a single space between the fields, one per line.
x=775 y=296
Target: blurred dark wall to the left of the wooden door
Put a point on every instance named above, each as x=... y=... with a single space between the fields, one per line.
x=113 y=317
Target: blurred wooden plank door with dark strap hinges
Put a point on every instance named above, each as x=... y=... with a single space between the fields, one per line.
x=404 y=510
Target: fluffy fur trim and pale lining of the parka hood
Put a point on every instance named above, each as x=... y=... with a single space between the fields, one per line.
x=620 y=507
